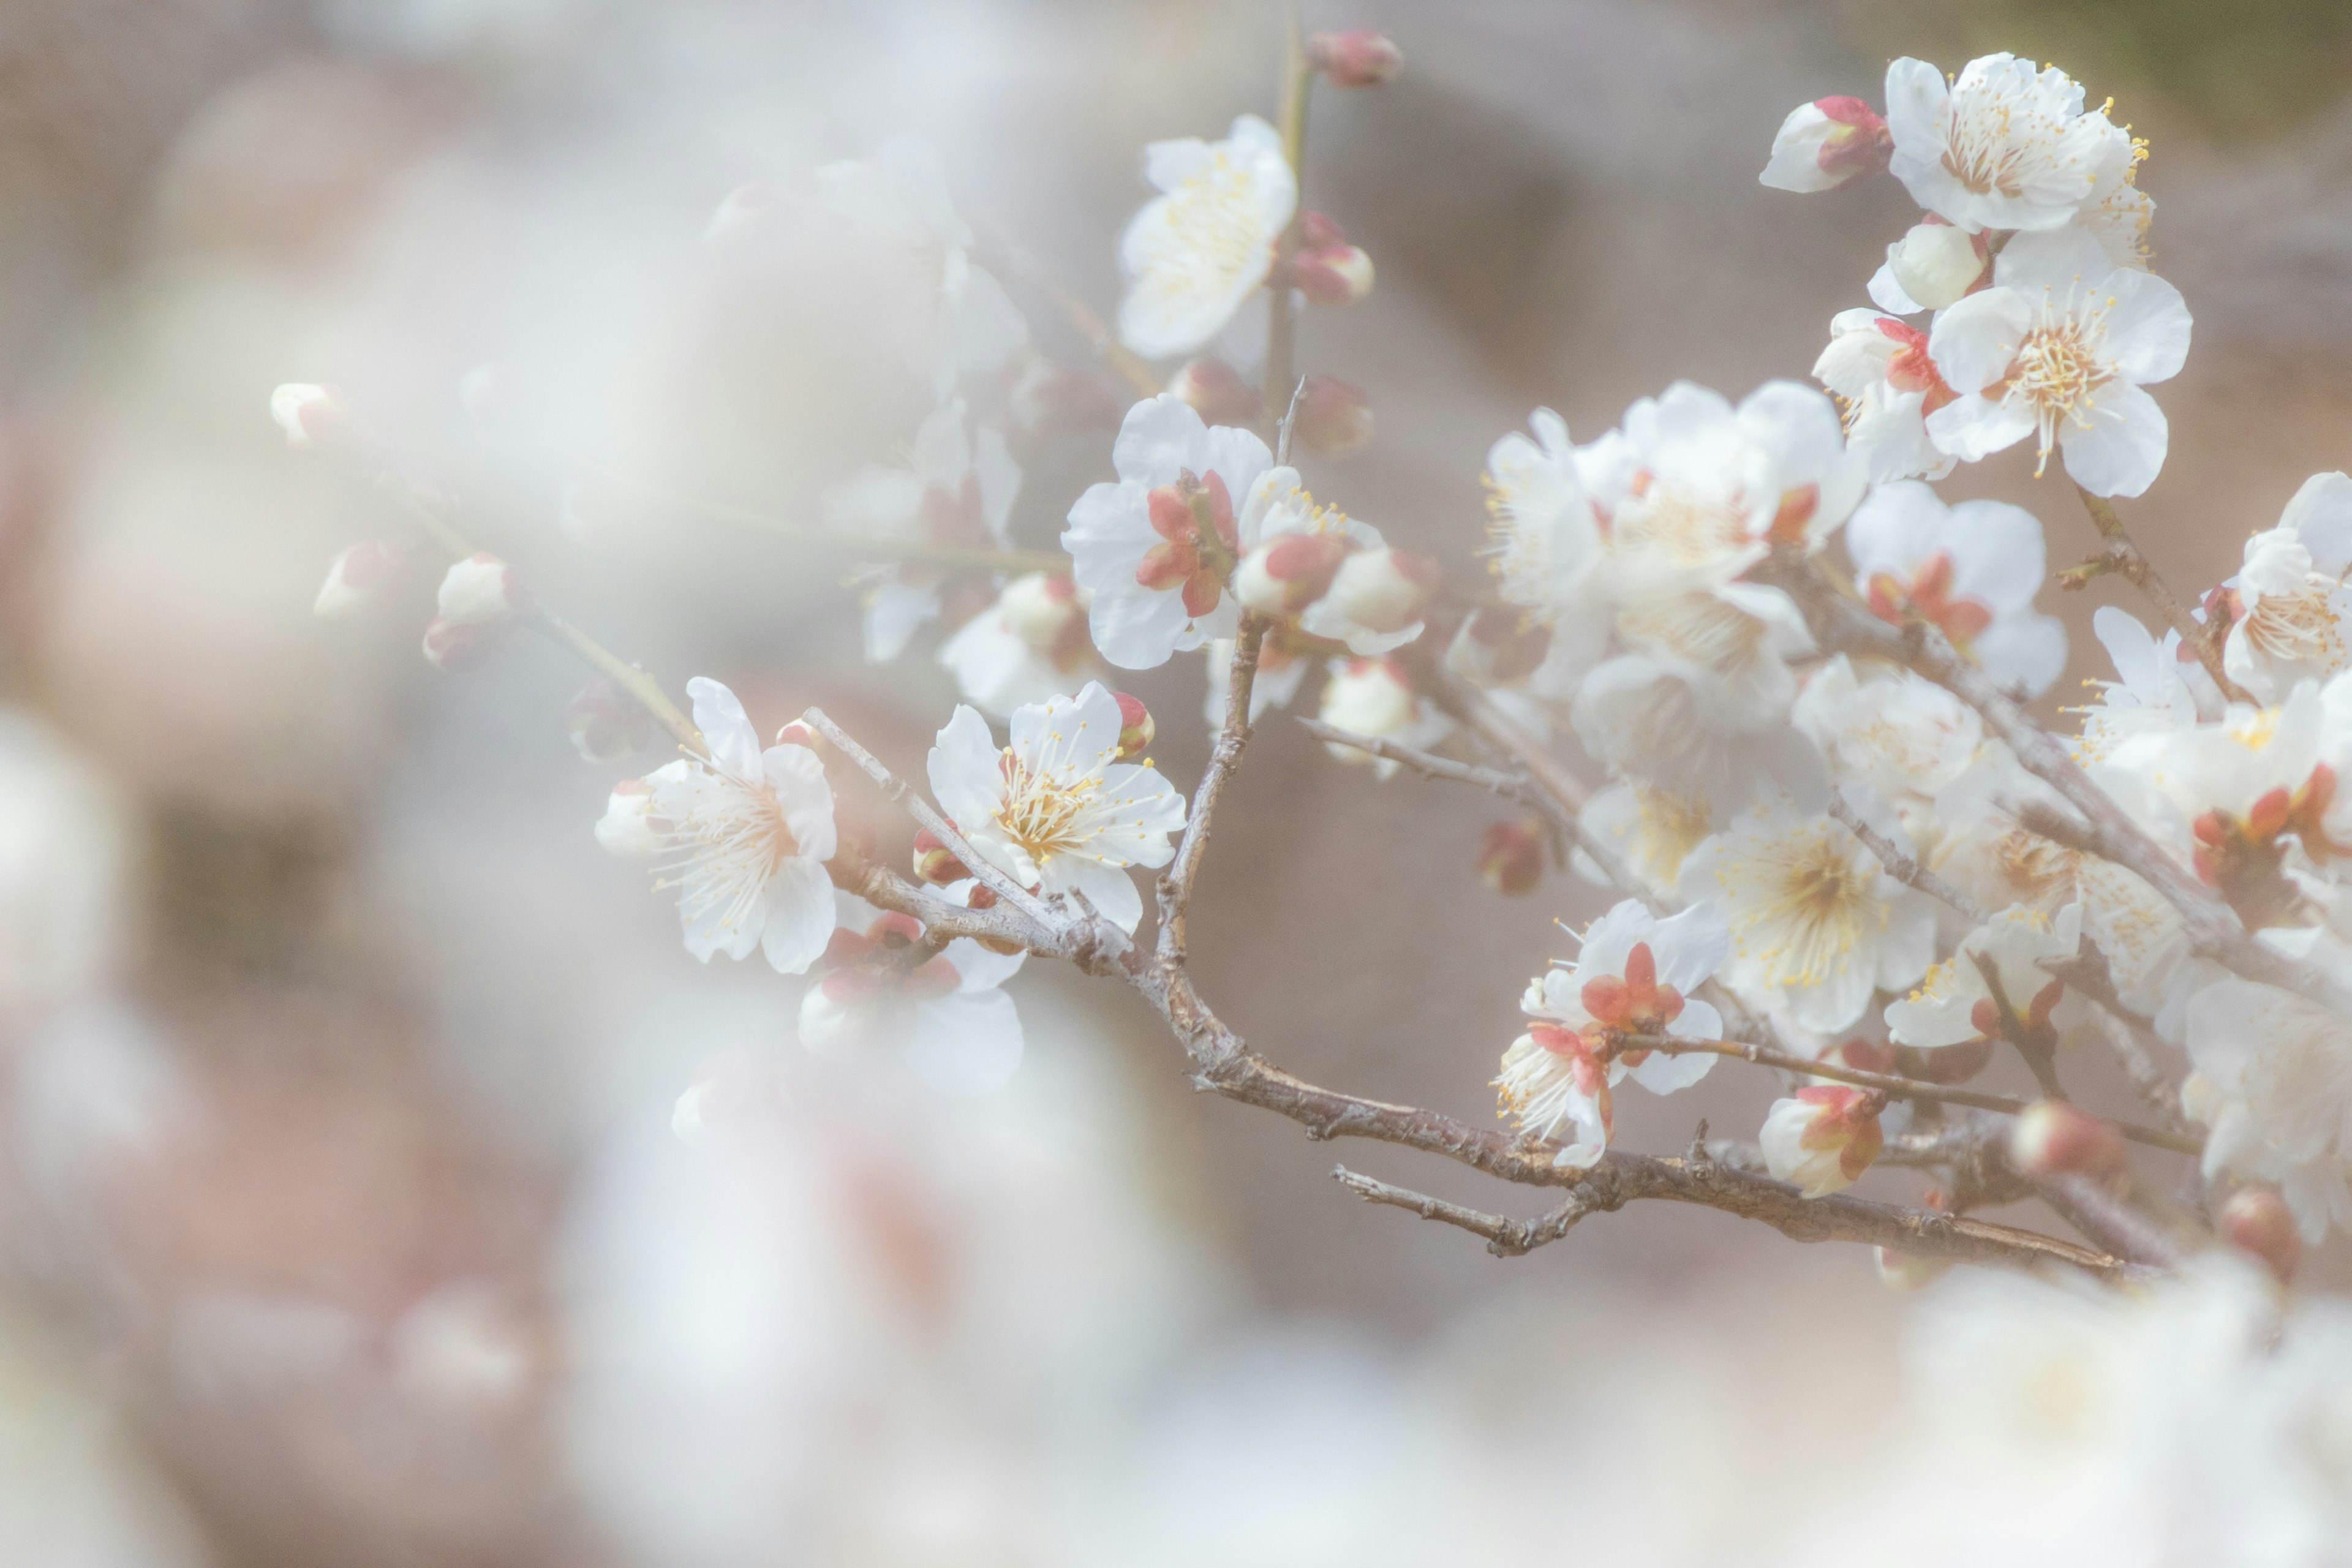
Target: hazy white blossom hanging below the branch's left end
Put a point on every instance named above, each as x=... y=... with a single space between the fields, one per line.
x=949 y=1017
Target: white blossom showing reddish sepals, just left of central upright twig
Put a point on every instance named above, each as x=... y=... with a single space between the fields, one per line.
x=1158 y=547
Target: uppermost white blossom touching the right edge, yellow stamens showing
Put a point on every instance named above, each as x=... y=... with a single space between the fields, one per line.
x=2292 y=603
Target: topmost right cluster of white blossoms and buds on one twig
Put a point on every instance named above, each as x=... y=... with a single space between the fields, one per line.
x=2031 y=262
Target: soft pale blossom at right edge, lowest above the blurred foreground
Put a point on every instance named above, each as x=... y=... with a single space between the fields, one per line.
x=2276 y=1087
